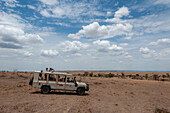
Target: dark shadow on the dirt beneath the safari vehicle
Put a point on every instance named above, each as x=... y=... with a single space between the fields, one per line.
x=59 y=93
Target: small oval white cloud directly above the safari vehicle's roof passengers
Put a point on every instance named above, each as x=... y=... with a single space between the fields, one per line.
x=49 y=53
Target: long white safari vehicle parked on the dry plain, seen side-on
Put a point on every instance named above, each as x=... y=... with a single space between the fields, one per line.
x=50 y=80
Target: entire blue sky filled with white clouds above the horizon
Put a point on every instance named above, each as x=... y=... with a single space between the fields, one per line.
x=85 y=34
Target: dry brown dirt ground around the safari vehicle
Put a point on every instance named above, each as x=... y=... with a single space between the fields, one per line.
x=106 y=95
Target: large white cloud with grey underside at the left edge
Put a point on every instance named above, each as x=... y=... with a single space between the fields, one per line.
x=12 y=32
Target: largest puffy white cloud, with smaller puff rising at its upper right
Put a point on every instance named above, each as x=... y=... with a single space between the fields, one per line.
x=95 y=30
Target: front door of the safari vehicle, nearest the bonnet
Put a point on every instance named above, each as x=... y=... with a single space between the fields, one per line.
x=70 y=85
